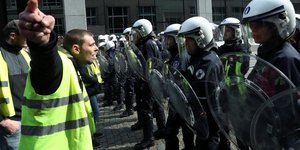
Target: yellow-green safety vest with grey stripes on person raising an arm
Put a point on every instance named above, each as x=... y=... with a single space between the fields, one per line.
x=59 y=121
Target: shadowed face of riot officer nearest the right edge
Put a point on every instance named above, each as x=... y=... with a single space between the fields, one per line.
x=261 y=32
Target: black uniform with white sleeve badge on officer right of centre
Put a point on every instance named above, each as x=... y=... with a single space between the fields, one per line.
x=196 y=74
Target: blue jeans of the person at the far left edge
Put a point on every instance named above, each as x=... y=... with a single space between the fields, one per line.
x=9 y=142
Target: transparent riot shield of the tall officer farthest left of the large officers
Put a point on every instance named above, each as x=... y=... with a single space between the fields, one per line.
x=136 y=61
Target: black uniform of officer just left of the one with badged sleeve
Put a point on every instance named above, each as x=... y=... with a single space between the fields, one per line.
x=174 y=121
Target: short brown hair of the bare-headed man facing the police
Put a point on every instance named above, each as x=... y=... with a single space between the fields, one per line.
x=75 y=36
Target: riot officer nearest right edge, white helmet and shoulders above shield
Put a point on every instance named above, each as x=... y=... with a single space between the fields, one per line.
x=271 y=27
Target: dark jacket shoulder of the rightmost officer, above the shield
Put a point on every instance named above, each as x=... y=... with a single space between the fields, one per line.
x=284 y=57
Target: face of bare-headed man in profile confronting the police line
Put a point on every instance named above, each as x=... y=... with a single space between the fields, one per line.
x=87 y=52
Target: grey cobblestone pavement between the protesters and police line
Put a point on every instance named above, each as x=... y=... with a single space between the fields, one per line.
x=117 y=133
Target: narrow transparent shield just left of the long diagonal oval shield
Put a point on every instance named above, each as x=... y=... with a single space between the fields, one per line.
x=156 y=78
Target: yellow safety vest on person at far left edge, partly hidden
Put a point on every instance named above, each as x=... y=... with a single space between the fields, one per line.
x=6 y=102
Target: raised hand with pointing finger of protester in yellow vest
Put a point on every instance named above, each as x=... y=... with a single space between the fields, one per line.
x=34 y=24
